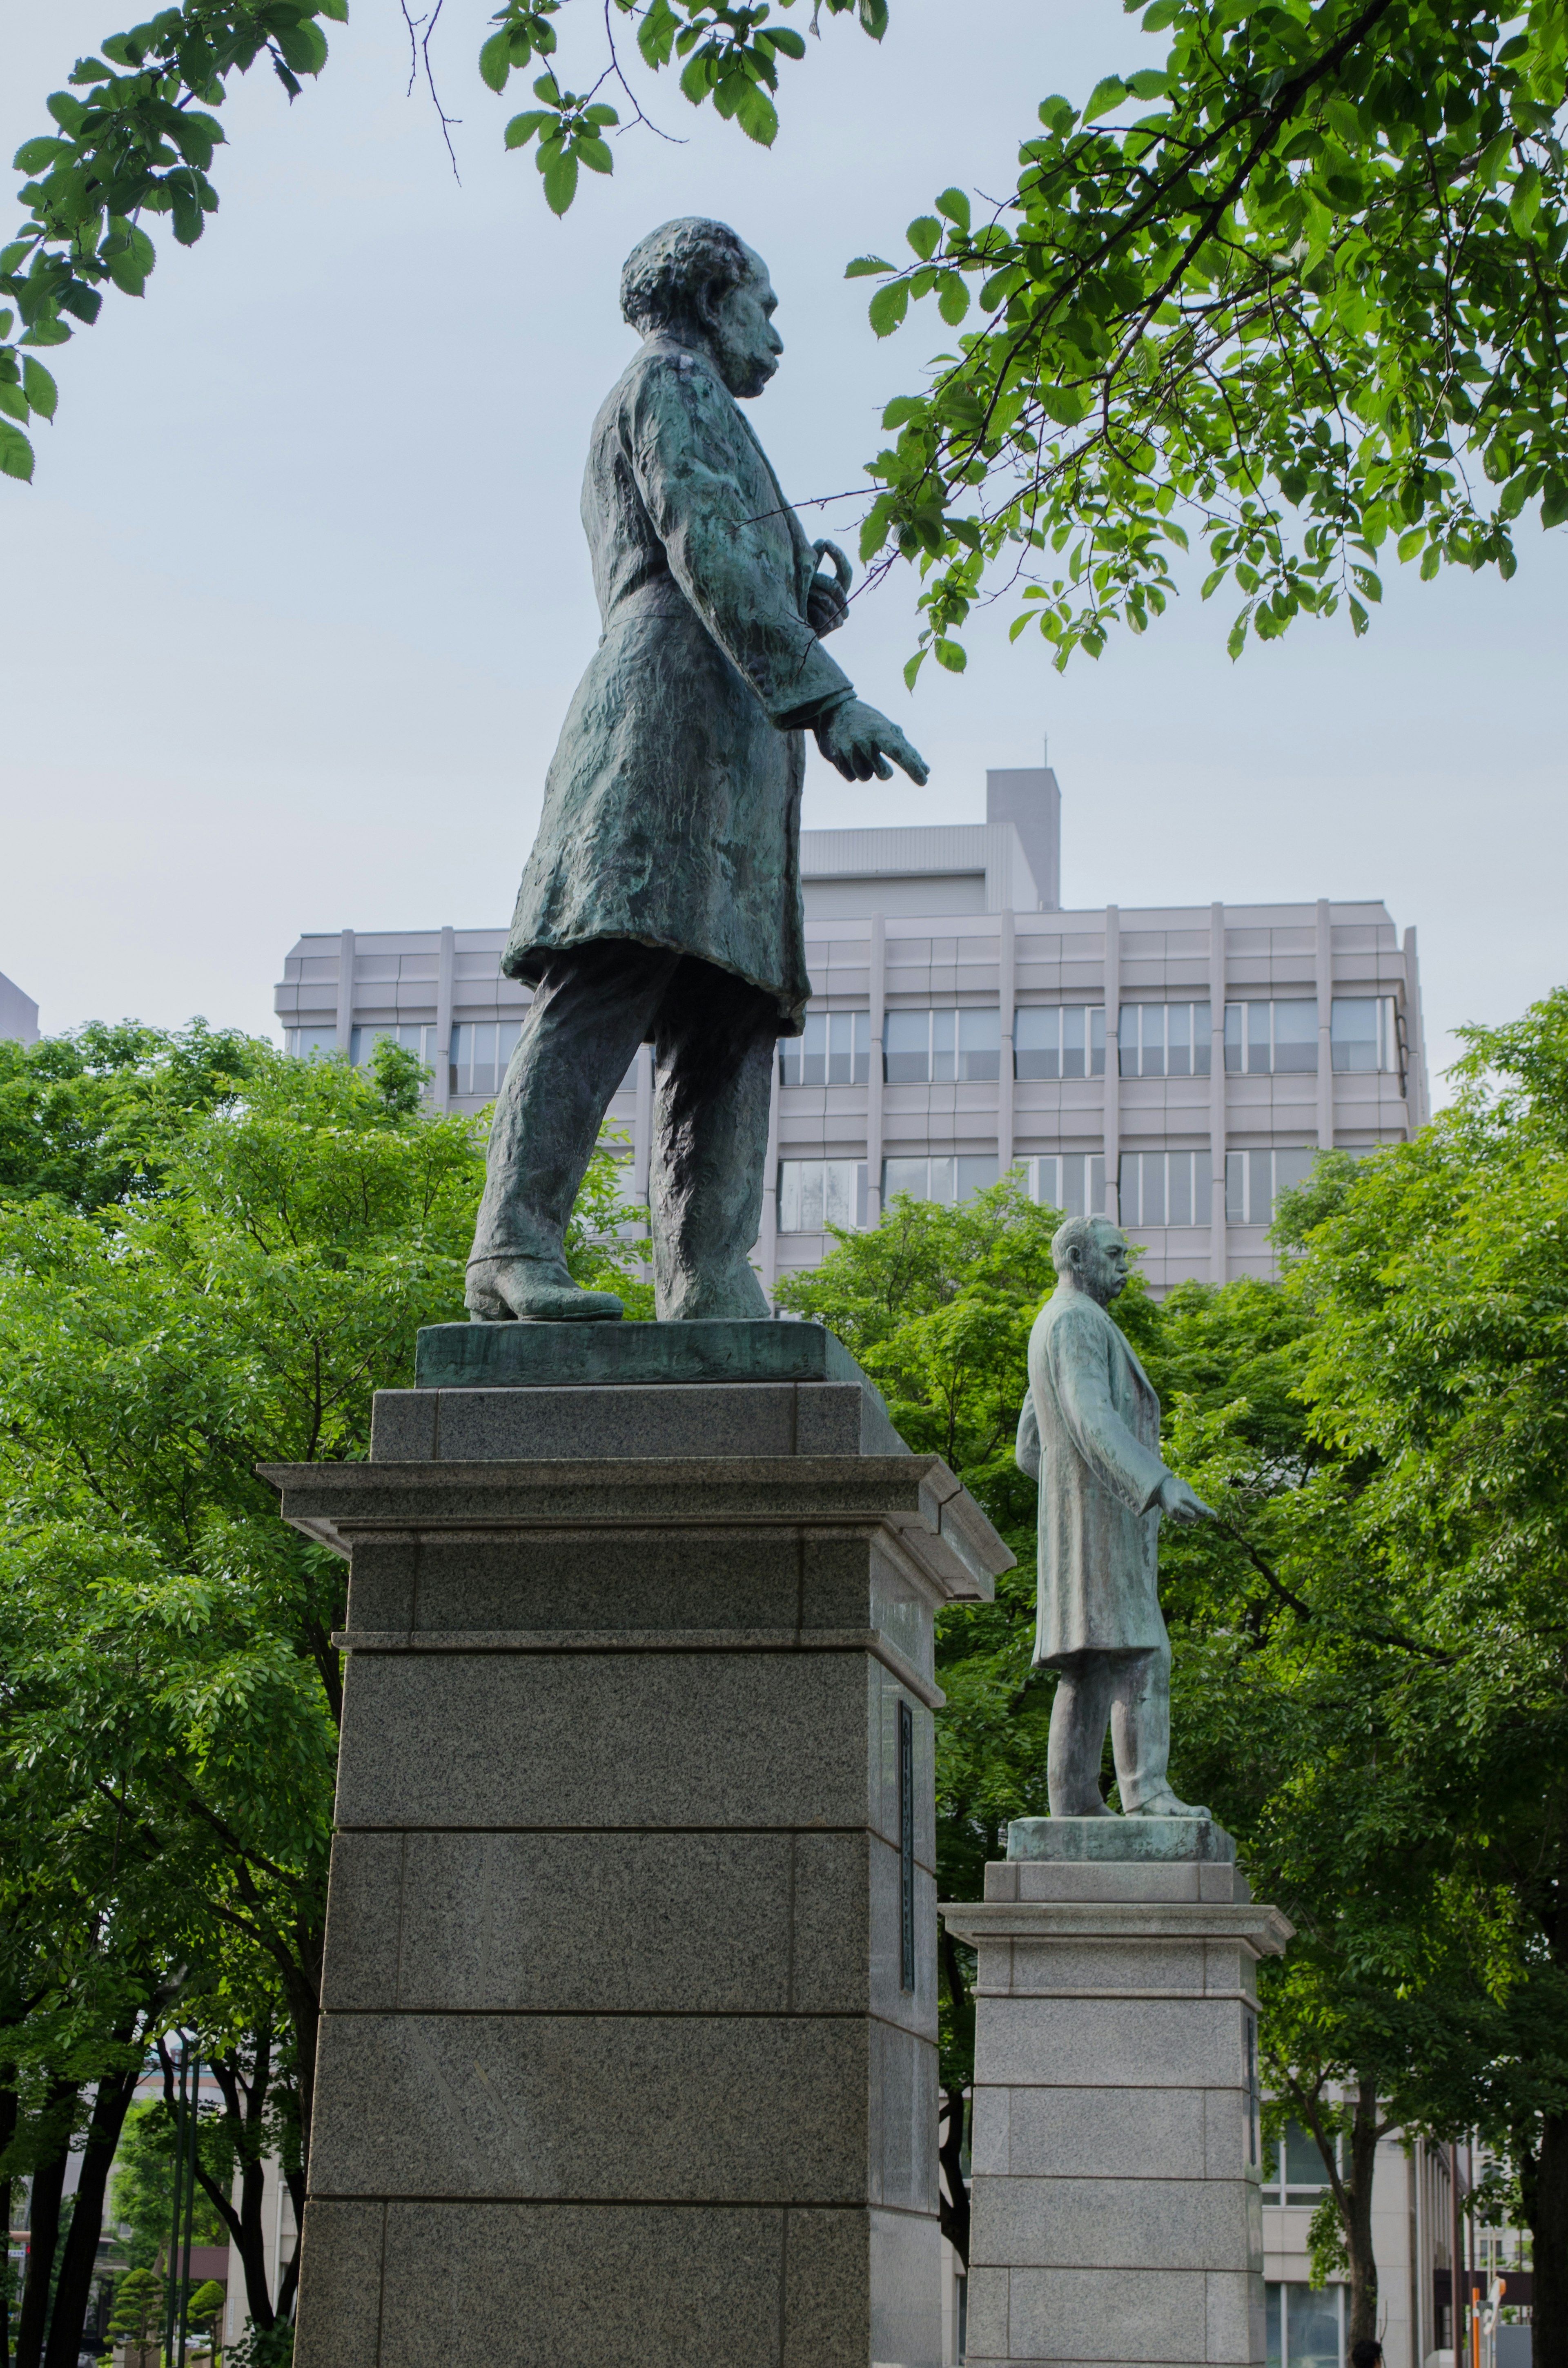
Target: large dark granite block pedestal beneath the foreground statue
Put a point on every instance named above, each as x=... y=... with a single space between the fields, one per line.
x=629 y=2045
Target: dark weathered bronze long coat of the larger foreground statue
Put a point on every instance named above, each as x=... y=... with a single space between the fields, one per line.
x=674 y=799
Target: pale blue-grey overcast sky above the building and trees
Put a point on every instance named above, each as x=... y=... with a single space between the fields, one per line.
x=295 y=607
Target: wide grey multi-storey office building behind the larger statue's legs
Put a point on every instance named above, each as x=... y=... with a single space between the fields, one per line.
x=1176 y=1067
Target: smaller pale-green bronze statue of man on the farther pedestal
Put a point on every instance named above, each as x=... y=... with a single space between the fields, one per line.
x=1091 y=1436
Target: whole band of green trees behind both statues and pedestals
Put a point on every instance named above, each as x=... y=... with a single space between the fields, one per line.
x=212 y=1256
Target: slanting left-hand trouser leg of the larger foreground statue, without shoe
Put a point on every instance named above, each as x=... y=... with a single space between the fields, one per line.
x=591 y=1012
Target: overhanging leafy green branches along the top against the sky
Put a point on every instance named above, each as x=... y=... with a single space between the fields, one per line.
x=1287 y=288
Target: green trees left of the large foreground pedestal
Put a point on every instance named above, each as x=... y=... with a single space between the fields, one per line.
x=210 y=1259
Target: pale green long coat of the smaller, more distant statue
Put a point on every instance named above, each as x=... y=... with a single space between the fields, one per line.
x=1091 y=1431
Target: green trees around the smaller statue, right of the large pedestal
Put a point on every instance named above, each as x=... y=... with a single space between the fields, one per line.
x=1370 y=1642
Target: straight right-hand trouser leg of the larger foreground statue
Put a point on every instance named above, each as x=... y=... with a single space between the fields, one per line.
x=714 y=1048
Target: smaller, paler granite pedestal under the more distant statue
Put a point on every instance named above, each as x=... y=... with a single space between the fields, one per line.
x=1117 y=2177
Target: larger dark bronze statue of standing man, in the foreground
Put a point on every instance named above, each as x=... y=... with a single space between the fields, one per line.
x=662 y=899
